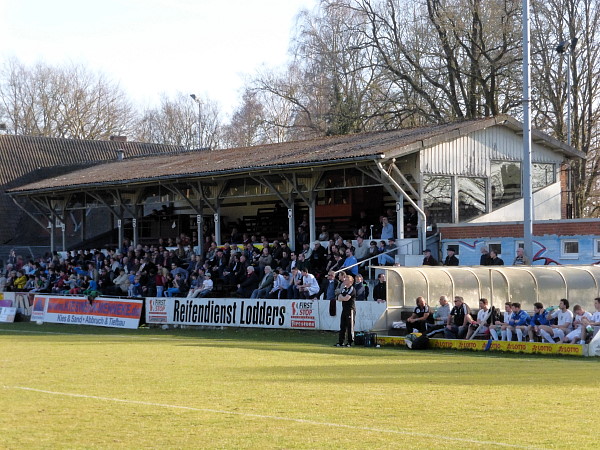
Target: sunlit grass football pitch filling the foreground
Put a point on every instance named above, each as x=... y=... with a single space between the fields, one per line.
x=84 y=387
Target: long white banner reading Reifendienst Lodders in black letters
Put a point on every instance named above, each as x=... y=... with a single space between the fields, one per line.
x=262 y=313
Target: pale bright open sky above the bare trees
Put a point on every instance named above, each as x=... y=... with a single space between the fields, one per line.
x=155 y=47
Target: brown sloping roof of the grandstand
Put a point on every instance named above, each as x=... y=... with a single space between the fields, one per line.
x=364 y=146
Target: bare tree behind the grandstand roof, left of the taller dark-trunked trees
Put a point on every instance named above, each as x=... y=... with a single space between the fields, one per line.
x=331 y=85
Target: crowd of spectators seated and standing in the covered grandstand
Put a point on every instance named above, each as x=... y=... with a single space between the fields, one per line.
x=246 y=265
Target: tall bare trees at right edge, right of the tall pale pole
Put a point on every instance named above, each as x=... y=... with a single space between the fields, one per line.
x=556 y=21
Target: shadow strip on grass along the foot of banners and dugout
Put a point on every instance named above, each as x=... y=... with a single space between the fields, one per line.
x=265 y=339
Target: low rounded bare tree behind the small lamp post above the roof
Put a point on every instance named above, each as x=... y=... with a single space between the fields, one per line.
x=181 y=121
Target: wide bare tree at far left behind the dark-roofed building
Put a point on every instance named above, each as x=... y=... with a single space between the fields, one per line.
x=66 y=102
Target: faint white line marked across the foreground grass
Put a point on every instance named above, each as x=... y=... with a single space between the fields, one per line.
x=262 y=416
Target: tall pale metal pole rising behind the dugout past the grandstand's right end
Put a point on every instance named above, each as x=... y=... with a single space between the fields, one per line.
x=527 y=197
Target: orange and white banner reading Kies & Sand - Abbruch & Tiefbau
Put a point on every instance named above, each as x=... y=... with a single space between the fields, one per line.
x=101 y=312
